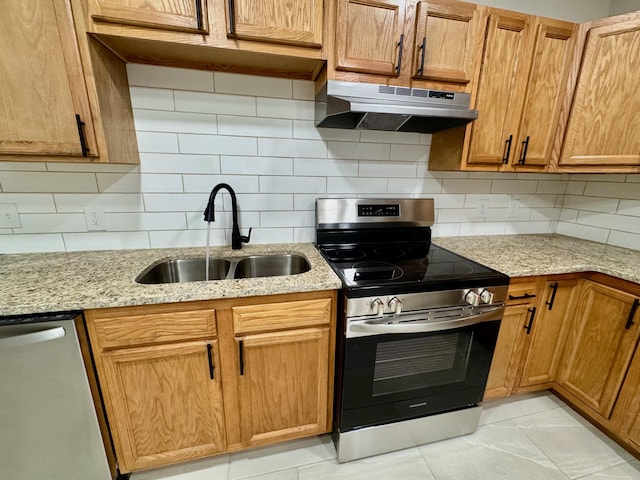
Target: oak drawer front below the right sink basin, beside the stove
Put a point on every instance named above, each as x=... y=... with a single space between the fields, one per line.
x=275 y=316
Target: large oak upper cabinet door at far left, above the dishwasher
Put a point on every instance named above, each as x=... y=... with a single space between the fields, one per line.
x=42 y=83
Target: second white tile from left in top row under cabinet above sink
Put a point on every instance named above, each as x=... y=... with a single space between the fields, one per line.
x=237 y=84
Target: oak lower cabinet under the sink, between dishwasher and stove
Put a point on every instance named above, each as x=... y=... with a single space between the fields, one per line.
x=190 y=380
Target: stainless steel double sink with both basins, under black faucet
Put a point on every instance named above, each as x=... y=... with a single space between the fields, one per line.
x=193 y=269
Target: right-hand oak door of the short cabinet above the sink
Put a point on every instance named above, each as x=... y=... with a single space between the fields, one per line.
x=280 y=21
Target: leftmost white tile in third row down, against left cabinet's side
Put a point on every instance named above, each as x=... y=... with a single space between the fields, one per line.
x=178 y=122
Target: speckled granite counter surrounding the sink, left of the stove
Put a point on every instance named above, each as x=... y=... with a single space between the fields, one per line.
x=47 y=282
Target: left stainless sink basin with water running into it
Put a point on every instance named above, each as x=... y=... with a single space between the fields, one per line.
x=186 y=270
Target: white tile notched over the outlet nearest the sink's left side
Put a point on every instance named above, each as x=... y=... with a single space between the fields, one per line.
x=113 y=202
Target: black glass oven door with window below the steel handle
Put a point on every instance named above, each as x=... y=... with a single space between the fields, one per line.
x=397 y=376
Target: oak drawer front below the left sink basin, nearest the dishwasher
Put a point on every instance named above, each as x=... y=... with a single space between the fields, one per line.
x=149 y=325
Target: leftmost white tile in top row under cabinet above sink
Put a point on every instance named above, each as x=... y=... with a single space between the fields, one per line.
x=169 y=77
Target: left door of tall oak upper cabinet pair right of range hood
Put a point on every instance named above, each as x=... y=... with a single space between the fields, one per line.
x=503 y=79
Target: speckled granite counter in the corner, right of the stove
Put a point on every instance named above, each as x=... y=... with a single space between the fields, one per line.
x=525 y=255
